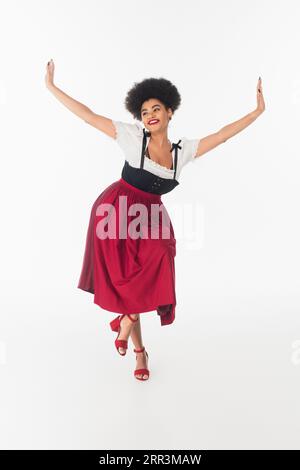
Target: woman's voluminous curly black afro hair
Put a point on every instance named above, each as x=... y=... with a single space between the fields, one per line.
x=158 y=88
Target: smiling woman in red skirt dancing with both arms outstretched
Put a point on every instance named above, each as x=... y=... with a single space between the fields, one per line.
x=132 y=271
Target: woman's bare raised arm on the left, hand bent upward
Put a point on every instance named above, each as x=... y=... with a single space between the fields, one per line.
x=102 y=123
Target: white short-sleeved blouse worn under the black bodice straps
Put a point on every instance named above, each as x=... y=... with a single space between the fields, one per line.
x=130 y=139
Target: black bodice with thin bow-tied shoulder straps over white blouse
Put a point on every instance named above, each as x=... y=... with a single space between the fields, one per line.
x=144 y=179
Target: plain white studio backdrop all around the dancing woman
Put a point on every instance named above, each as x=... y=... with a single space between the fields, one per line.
x=225 y=374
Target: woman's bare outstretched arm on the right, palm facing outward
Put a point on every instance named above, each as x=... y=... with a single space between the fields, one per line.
x=213 y=140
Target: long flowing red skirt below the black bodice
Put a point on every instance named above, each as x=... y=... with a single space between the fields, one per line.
x=130 y=274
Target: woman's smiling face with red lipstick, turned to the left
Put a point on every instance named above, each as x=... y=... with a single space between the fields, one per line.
x=155 y=109
